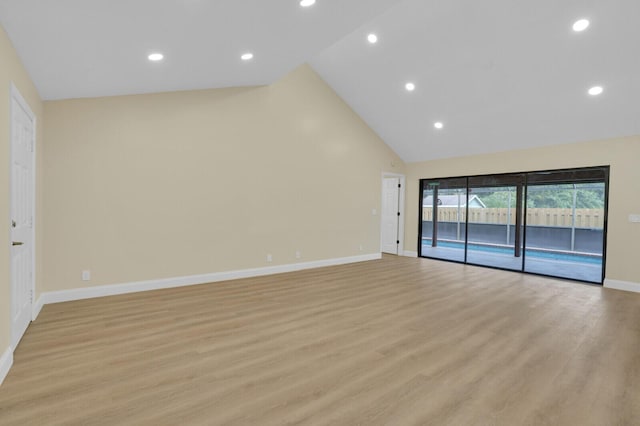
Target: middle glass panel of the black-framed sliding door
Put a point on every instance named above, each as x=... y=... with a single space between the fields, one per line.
x=492 y=227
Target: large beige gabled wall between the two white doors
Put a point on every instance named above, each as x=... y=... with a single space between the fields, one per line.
x=176 y=184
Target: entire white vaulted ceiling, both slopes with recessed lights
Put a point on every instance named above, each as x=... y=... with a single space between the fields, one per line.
x=498 y=74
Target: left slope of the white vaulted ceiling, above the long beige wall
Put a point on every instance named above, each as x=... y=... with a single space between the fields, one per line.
x=90 y=48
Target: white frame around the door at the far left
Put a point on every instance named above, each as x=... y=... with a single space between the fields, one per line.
x=16 y=96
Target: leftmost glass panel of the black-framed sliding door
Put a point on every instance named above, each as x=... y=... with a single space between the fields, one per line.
x=443 y=218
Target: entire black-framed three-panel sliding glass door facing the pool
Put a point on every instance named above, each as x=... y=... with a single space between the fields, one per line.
x=549 y=223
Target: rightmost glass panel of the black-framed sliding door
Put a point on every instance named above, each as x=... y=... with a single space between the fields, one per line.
x=565 y=226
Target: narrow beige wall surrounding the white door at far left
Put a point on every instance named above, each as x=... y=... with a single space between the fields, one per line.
x=11 y=70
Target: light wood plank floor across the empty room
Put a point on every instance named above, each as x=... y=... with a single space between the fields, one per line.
x=398 y=341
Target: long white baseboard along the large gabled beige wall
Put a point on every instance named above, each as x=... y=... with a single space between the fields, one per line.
x=134 y=287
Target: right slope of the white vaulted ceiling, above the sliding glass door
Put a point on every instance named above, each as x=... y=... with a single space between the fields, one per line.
x=498 y=74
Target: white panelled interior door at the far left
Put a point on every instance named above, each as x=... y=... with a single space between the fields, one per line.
x=22 y=213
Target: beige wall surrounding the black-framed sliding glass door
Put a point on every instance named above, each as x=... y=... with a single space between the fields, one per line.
x=623 y=155
